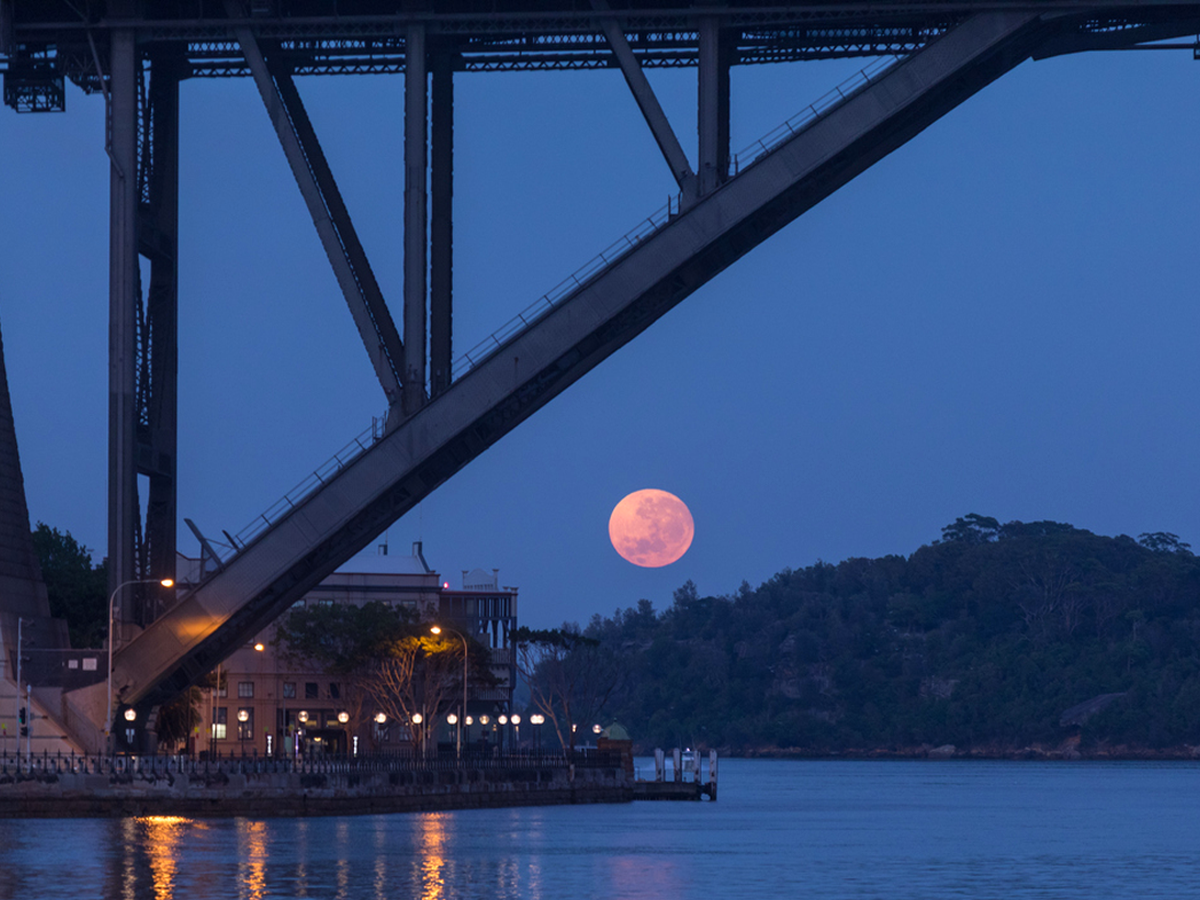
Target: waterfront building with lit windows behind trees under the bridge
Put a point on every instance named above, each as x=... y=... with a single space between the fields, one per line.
x=268 y=705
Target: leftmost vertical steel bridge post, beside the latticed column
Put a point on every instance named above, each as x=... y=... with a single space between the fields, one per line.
x=124 y=303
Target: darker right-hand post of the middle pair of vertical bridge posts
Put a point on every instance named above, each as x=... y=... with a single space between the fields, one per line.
x=442 y=223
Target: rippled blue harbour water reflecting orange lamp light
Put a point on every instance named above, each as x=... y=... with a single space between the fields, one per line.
x=782 y=829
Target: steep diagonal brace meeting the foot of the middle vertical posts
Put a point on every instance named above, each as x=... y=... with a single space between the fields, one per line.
x=329 y=215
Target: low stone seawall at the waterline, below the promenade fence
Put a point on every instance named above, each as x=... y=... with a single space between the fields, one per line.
x=49 y=795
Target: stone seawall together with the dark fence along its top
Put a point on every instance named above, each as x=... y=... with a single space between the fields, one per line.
x=67 y=785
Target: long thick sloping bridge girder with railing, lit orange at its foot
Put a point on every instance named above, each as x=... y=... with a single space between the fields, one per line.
x=524 y=375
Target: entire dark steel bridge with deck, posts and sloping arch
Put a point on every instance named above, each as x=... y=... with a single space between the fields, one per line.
x=929 y=57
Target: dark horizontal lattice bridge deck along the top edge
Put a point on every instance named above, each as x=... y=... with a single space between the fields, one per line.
x=55 y=40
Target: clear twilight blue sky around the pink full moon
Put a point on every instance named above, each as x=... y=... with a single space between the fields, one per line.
x=1000 y=319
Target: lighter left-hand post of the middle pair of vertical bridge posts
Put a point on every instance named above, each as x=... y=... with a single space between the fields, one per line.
x=417 y=98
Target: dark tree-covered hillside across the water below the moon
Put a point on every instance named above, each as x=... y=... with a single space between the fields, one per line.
x=982 y=640
